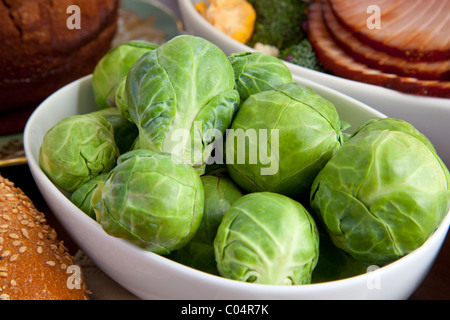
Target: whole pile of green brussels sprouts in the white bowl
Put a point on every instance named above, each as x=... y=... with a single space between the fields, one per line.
x=225 y=164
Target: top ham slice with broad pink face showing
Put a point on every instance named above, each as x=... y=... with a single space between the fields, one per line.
x=417 y=30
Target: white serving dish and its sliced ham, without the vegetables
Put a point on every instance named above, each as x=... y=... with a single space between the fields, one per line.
x=376 y=66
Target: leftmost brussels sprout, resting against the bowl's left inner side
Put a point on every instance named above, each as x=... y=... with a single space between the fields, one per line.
x=77 y=149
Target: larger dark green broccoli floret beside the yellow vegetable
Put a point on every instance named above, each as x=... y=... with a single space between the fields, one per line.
x=278 y=22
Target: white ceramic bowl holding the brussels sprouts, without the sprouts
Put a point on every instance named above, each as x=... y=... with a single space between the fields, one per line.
x=151 y=276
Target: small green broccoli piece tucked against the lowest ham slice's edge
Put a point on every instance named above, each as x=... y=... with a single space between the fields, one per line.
x=302 y=54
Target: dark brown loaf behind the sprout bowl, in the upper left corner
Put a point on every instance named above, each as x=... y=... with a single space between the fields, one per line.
x=40 y=51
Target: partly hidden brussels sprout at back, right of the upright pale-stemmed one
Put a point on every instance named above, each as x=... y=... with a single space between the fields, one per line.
x=256 y=72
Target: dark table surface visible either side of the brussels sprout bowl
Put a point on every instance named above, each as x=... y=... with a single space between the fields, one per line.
x=436 y=286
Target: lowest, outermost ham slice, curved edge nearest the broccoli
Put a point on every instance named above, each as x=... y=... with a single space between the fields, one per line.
x=335 y=59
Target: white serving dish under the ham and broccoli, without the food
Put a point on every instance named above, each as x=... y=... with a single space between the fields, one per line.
x=429 y=115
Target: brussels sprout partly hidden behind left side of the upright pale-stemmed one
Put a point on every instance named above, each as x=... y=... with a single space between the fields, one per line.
x=113 y=68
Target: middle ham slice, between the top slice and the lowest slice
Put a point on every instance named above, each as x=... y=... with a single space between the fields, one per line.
x=437 y=70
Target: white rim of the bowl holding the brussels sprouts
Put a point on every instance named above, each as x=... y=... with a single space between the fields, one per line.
x=214 y=280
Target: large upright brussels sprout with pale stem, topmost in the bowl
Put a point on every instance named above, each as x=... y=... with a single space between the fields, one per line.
x=179 y=95
